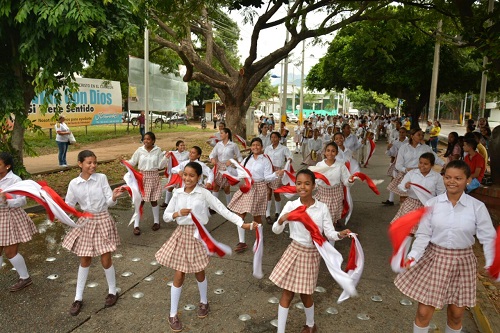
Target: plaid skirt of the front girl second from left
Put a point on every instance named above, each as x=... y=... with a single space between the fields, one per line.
x=99 y=235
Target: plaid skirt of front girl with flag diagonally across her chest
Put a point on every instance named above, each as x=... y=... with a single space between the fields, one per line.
x=298 y=269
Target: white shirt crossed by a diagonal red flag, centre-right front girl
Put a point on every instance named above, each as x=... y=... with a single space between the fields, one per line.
x=318 y=212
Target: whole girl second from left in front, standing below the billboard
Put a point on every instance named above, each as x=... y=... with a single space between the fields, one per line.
x=99 y=235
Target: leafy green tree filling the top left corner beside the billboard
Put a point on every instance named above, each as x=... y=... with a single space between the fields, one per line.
x=44 y=43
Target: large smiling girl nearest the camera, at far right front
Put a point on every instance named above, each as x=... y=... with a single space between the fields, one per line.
x=445 y=269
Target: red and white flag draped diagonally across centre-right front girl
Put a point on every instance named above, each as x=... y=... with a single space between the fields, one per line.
x=333 y=259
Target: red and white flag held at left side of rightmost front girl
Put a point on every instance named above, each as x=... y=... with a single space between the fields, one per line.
x=399 y=234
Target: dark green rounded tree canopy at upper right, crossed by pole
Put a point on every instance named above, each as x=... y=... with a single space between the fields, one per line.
x=393 y=57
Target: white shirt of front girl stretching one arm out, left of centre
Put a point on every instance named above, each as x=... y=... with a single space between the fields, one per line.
x=199 y=200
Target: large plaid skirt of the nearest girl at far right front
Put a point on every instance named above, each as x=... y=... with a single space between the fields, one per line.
x=442 y=276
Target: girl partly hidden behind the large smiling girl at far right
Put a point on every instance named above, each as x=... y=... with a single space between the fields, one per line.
x=427 y=178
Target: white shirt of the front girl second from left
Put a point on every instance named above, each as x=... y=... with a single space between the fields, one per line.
x=93 y=195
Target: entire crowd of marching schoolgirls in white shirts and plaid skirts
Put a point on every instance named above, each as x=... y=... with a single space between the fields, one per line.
x=333 y=149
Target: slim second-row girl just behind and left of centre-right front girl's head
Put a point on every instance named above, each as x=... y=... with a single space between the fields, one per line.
x=279 y=155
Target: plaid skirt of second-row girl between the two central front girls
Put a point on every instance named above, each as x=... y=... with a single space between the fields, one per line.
x=253 y=202
